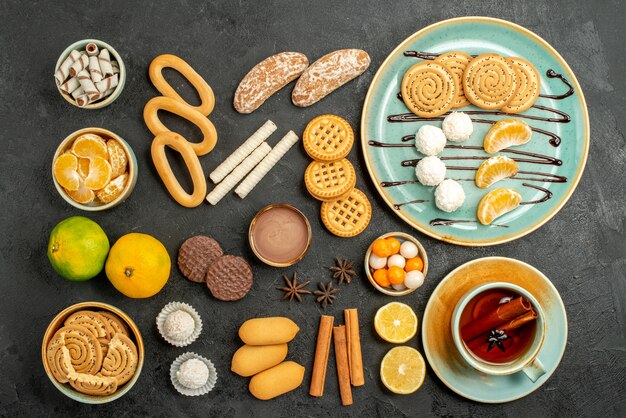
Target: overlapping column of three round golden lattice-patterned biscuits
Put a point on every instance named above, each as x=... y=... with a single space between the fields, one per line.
x=331 y=178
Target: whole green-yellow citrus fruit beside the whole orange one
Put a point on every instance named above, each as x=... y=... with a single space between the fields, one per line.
x=78 y=248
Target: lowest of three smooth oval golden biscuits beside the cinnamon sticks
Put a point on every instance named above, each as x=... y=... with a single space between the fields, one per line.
x=276 y=381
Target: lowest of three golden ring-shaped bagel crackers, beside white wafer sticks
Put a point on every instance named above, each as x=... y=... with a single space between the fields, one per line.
x=185 y=148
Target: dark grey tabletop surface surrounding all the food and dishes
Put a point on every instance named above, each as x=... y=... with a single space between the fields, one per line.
x=582 y=249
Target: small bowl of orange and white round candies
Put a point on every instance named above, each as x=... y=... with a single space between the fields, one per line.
x=396 y=264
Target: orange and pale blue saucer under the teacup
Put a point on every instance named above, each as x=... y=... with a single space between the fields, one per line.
x=444 y=358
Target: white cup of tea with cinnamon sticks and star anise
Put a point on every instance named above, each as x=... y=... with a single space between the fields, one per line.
x=499 y=329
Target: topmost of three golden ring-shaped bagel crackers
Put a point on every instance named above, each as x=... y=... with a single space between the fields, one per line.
x=207 y=98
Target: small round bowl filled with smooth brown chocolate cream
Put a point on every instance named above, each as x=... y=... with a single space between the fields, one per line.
x=280 y=235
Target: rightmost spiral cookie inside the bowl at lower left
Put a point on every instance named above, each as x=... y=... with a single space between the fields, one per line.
x=121 y=359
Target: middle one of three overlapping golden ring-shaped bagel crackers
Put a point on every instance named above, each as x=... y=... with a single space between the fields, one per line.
x=151 y=117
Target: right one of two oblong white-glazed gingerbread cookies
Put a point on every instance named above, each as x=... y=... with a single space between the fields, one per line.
x=328 y=74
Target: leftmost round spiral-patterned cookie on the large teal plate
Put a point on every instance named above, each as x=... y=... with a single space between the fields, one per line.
x=429 y=89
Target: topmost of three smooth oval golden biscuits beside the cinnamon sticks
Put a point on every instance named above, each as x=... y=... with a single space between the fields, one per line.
x=268 y=331
